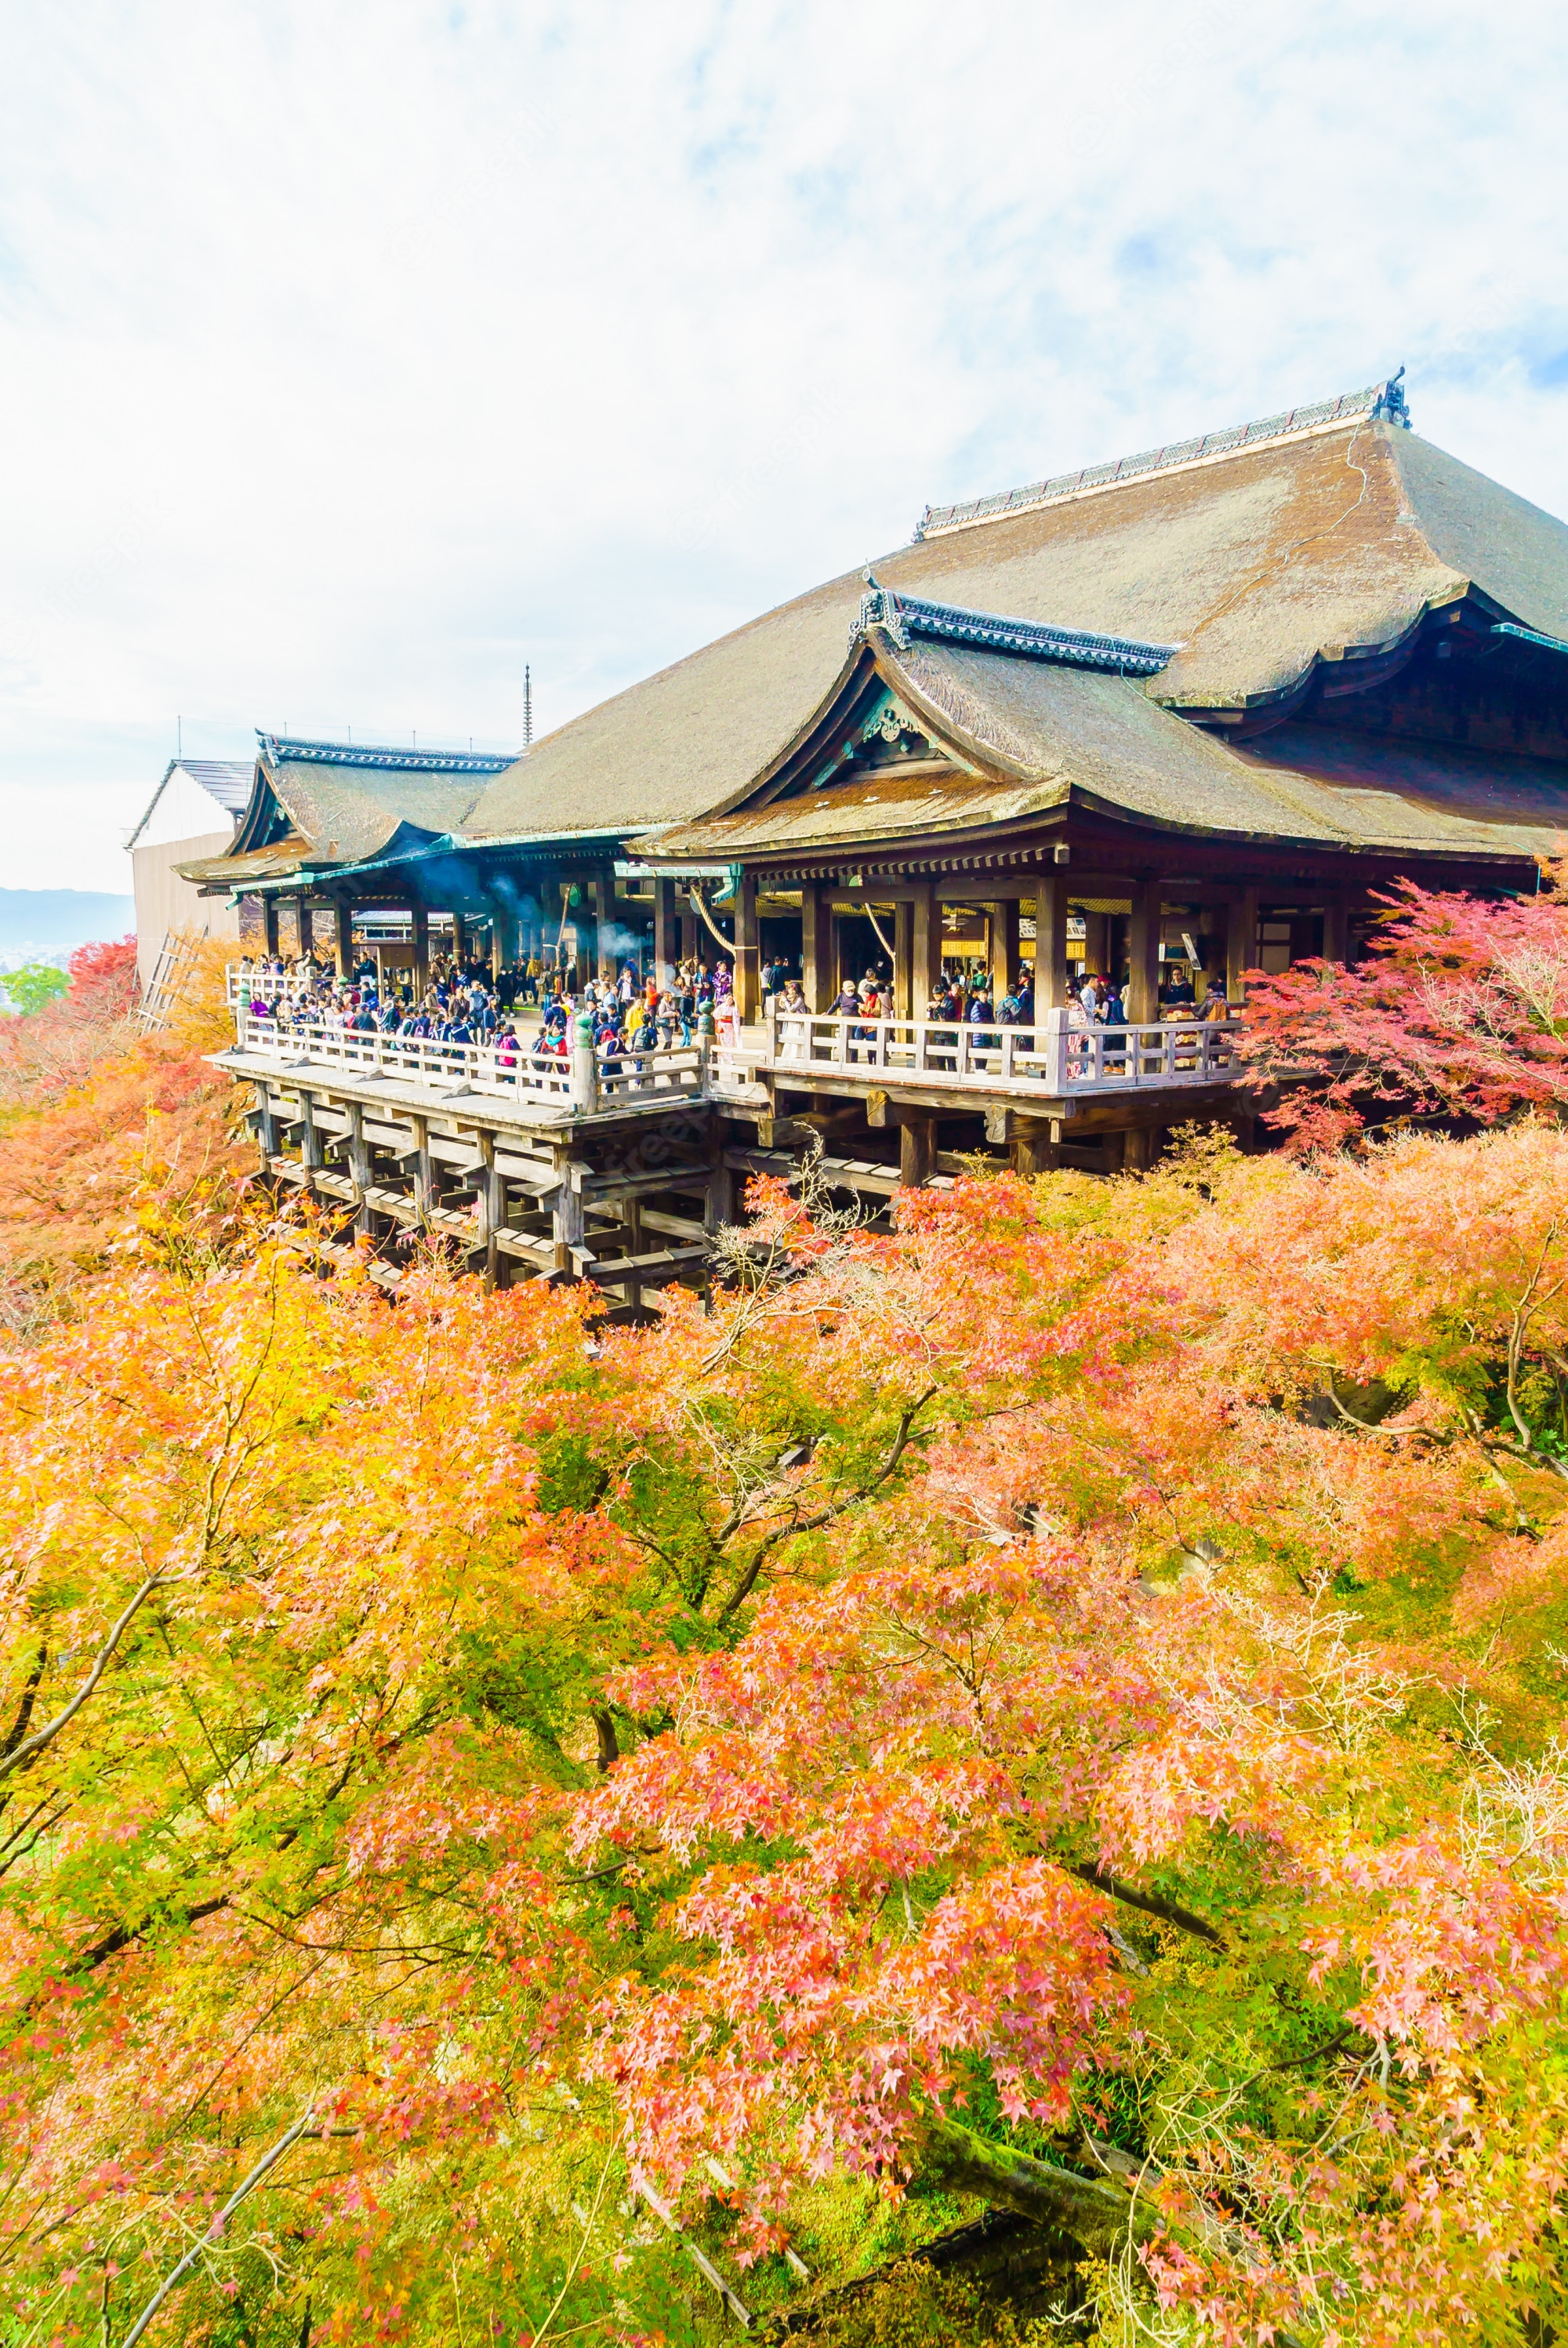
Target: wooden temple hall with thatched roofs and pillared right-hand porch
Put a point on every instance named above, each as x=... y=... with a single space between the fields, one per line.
x=1184 y=713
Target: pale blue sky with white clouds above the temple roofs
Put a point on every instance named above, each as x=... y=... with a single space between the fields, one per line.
x=360 y=353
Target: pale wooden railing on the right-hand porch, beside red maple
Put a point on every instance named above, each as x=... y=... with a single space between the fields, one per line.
x=1050 y=1058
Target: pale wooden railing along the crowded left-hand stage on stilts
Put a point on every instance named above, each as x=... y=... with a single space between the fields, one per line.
x=565 y=1084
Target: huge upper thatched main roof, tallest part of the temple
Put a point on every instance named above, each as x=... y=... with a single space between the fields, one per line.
x=1257 y=562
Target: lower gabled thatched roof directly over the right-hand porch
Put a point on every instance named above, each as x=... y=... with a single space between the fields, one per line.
x=1013 y=738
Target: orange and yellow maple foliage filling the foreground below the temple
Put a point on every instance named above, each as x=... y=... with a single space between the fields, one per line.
x=1048 y=1706
